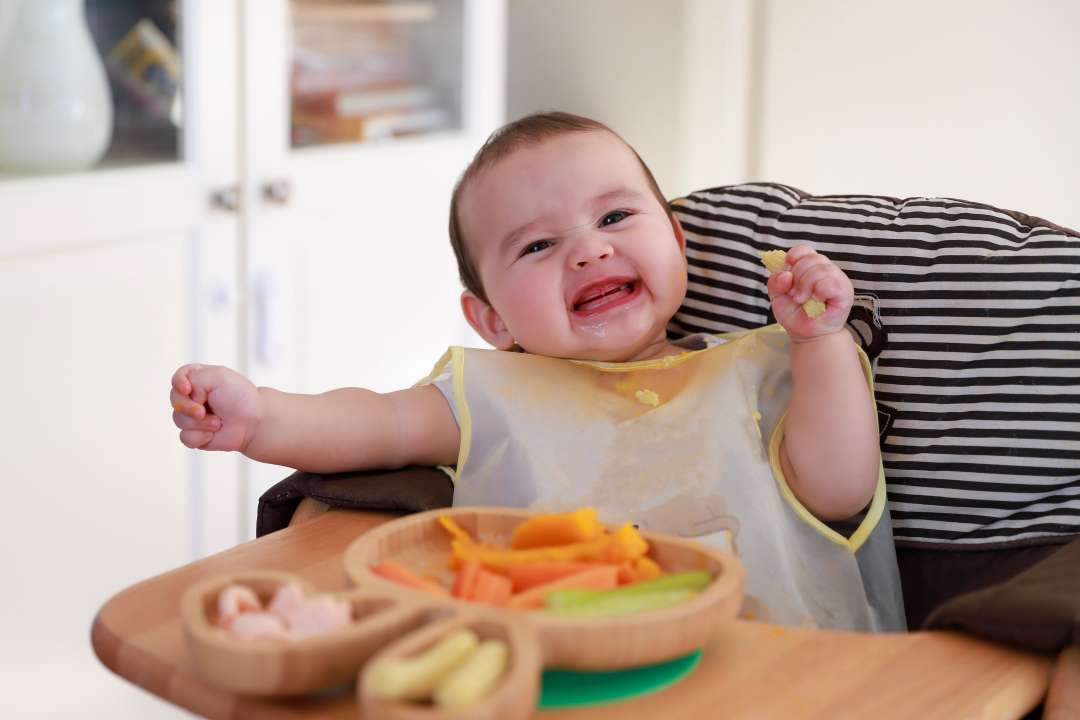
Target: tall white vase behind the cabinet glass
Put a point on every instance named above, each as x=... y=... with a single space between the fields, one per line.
x=56 y=108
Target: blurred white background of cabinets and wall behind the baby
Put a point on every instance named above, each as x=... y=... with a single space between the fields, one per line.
x=264 y=184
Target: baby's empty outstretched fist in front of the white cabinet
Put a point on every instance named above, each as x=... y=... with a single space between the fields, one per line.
x=215 y=409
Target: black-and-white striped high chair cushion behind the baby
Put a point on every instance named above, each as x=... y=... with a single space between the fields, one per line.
x=971 y=315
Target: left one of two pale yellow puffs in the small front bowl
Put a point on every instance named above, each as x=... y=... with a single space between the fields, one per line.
x=417 y=677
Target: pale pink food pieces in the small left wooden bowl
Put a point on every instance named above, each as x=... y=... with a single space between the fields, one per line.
x=291 y=616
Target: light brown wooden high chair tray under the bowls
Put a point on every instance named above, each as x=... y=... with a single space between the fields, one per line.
x=753 y=671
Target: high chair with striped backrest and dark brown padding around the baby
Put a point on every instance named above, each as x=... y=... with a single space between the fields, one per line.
x=969 y=315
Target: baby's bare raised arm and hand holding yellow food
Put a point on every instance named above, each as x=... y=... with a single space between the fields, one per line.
x=830 y=452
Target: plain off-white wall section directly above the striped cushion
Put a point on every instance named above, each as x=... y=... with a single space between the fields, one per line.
x=971 y=99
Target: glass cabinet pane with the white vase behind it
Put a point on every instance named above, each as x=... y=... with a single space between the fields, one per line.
x=88 y=84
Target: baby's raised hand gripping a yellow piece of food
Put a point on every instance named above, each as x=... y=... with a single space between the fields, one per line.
x=809 y=275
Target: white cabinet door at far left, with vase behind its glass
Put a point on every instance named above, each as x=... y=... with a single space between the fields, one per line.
x=111 y=278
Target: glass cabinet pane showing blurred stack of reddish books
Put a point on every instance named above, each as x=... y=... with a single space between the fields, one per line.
x=369 y=71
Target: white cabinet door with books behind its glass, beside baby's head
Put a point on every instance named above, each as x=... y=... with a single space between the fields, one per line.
x=352 y=158
